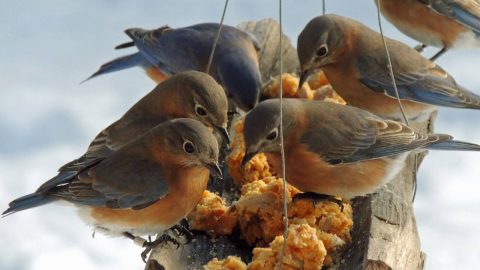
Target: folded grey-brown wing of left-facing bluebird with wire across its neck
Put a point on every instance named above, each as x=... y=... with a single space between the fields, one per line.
x=344 y=134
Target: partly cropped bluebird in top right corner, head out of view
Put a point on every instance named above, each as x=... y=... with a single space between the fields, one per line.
x=441 y=23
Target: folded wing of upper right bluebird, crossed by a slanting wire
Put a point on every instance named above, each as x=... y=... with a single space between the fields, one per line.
x=416 y=78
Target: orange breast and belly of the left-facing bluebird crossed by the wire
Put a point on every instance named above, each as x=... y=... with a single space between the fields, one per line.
x=310 y=173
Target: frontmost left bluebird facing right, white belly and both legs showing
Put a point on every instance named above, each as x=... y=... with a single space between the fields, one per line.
x=145 y=187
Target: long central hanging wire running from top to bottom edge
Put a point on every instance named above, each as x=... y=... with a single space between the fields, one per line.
x=285 y=209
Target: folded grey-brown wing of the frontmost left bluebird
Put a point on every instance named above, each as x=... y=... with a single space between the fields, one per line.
x=120 y=181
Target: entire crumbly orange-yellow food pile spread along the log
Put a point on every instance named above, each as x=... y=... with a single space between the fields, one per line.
x=318 y=232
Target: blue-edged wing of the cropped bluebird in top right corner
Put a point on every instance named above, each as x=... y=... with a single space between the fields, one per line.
x=466 y=12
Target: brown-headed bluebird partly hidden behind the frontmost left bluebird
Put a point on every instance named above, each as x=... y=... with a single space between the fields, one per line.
x=190 y=94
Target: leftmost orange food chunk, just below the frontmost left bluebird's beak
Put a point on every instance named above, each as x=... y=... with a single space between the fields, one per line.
x=212 y=215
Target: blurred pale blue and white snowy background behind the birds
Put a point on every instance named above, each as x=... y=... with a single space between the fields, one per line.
x=47 y=119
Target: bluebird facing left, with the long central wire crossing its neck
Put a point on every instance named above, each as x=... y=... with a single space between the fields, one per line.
x=333 y=149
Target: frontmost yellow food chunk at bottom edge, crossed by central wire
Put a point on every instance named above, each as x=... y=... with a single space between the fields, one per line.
x=303 y=251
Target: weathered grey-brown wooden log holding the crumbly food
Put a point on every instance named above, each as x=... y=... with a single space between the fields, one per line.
x=384 y=233
